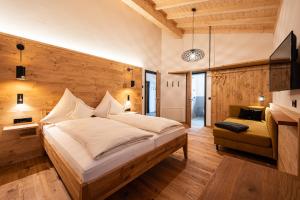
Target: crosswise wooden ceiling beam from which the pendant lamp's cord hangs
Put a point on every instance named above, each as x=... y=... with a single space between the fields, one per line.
x=218 y=11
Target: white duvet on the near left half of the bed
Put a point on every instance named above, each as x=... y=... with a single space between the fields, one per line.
x=102 y=136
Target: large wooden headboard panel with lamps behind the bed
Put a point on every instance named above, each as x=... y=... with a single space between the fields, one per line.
x=50 y=69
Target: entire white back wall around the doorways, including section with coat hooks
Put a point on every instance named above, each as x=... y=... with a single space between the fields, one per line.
x=226 y=49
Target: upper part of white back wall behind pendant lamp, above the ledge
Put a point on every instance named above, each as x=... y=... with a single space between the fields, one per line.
x=226 y=49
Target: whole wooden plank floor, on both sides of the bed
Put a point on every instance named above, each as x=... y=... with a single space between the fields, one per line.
x=173 y=178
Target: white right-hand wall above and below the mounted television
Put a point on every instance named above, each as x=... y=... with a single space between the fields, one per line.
x=288 y=20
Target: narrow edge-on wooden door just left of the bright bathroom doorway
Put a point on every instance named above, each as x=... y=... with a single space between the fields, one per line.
x=188 y=116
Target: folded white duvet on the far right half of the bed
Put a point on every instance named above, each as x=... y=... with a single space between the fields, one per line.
x=148 y=123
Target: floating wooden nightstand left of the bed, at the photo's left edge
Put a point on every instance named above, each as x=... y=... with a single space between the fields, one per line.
x=19 y=143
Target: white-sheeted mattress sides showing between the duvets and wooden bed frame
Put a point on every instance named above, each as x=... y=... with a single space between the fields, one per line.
x=86 y=167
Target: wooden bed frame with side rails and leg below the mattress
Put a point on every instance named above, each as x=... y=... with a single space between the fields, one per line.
x=105 y=185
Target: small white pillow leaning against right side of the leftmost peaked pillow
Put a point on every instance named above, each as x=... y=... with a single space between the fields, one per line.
x=81 y=110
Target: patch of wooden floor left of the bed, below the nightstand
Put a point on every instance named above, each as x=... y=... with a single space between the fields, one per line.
x=34 y=179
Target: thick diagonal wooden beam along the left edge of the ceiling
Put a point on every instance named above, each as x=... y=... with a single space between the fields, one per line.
x=147 y=9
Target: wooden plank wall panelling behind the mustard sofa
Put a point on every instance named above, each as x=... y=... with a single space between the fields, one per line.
x=241 y=86
